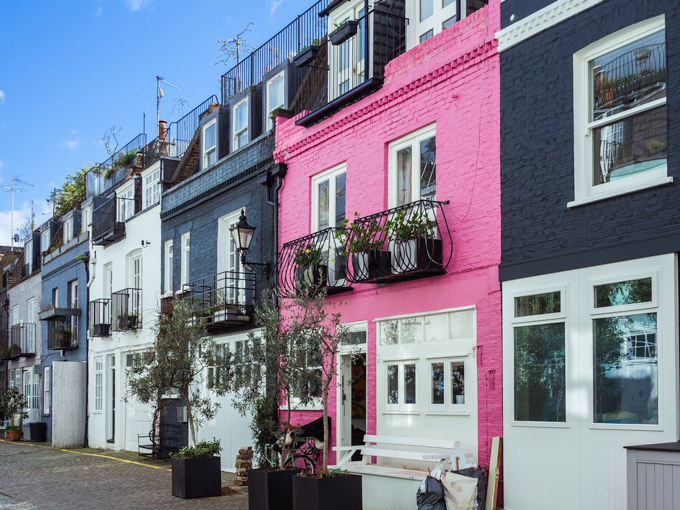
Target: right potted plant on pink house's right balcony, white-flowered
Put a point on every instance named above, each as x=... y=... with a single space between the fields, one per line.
x=412 y=242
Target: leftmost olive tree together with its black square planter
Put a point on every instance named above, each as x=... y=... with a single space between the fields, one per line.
x=180 y=354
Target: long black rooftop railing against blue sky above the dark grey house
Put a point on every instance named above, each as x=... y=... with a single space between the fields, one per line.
x=306 y=30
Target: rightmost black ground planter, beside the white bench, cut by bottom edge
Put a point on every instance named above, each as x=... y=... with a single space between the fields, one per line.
x=337 y=493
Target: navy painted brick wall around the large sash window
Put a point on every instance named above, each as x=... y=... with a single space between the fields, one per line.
x=539 y=233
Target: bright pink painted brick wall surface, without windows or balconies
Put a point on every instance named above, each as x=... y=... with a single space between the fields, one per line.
x=452 y=80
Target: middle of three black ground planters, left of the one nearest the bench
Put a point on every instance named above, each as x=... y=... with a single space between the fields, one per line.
x=270 y=490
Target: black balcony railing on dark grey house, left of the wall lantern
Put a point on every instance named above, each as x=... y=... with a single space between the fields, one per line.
x=223 y=300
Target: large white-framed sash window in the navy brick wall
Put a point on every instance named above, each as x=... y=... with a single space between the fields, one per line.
x=620 y=132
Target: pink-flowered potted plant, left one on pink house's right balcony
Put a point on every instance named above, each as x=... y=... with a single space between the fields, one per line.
x=365 y=241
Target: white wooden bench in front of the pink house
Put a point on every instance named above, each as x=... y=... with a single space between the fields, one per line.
x=388 y=487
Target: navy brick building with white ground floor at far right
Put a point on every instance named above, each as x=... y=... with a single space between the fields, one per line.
x=590 y=111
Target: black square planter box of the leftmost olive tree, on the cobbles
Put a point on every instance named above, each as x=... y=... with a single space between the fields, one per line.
x=196 y=478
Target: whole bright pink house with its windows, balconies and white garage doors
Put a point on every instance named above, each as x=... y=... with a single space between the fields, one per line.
x=415 y=154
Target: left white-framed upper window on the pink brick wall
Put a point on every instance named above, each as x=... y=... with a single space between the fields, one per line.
x=328 y=198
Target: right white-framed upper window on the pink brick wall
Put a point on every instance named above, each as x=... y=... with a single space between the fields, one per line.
x=406 y=183
